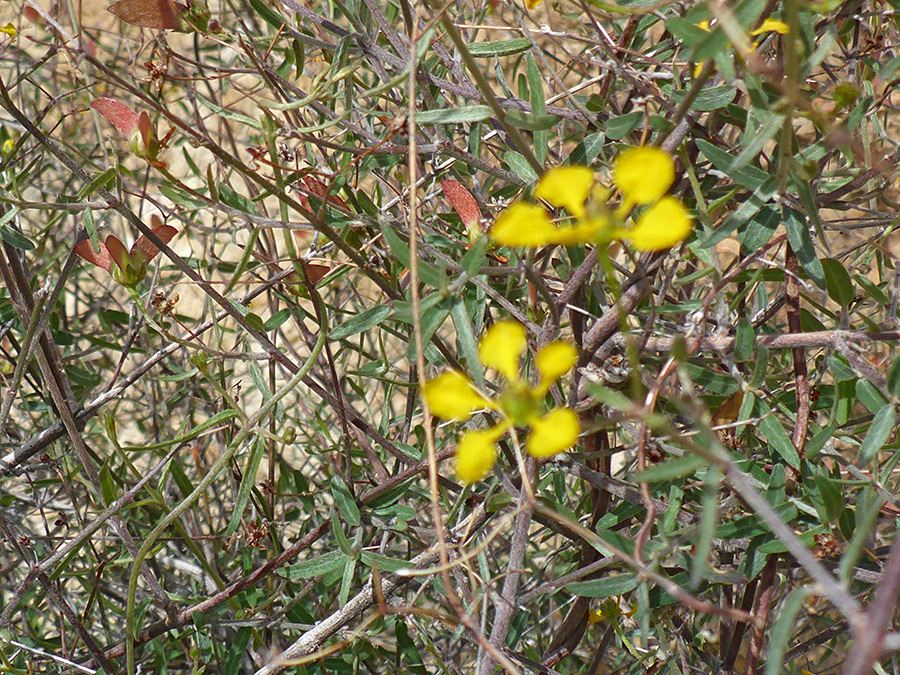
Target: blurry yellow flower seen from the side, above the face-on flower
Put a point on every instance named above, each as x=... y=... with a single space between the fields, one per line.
x=642 y=176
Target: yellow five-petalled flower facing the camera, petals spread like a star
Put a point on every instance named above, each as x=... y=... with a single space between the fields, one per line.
x=453 y=396
